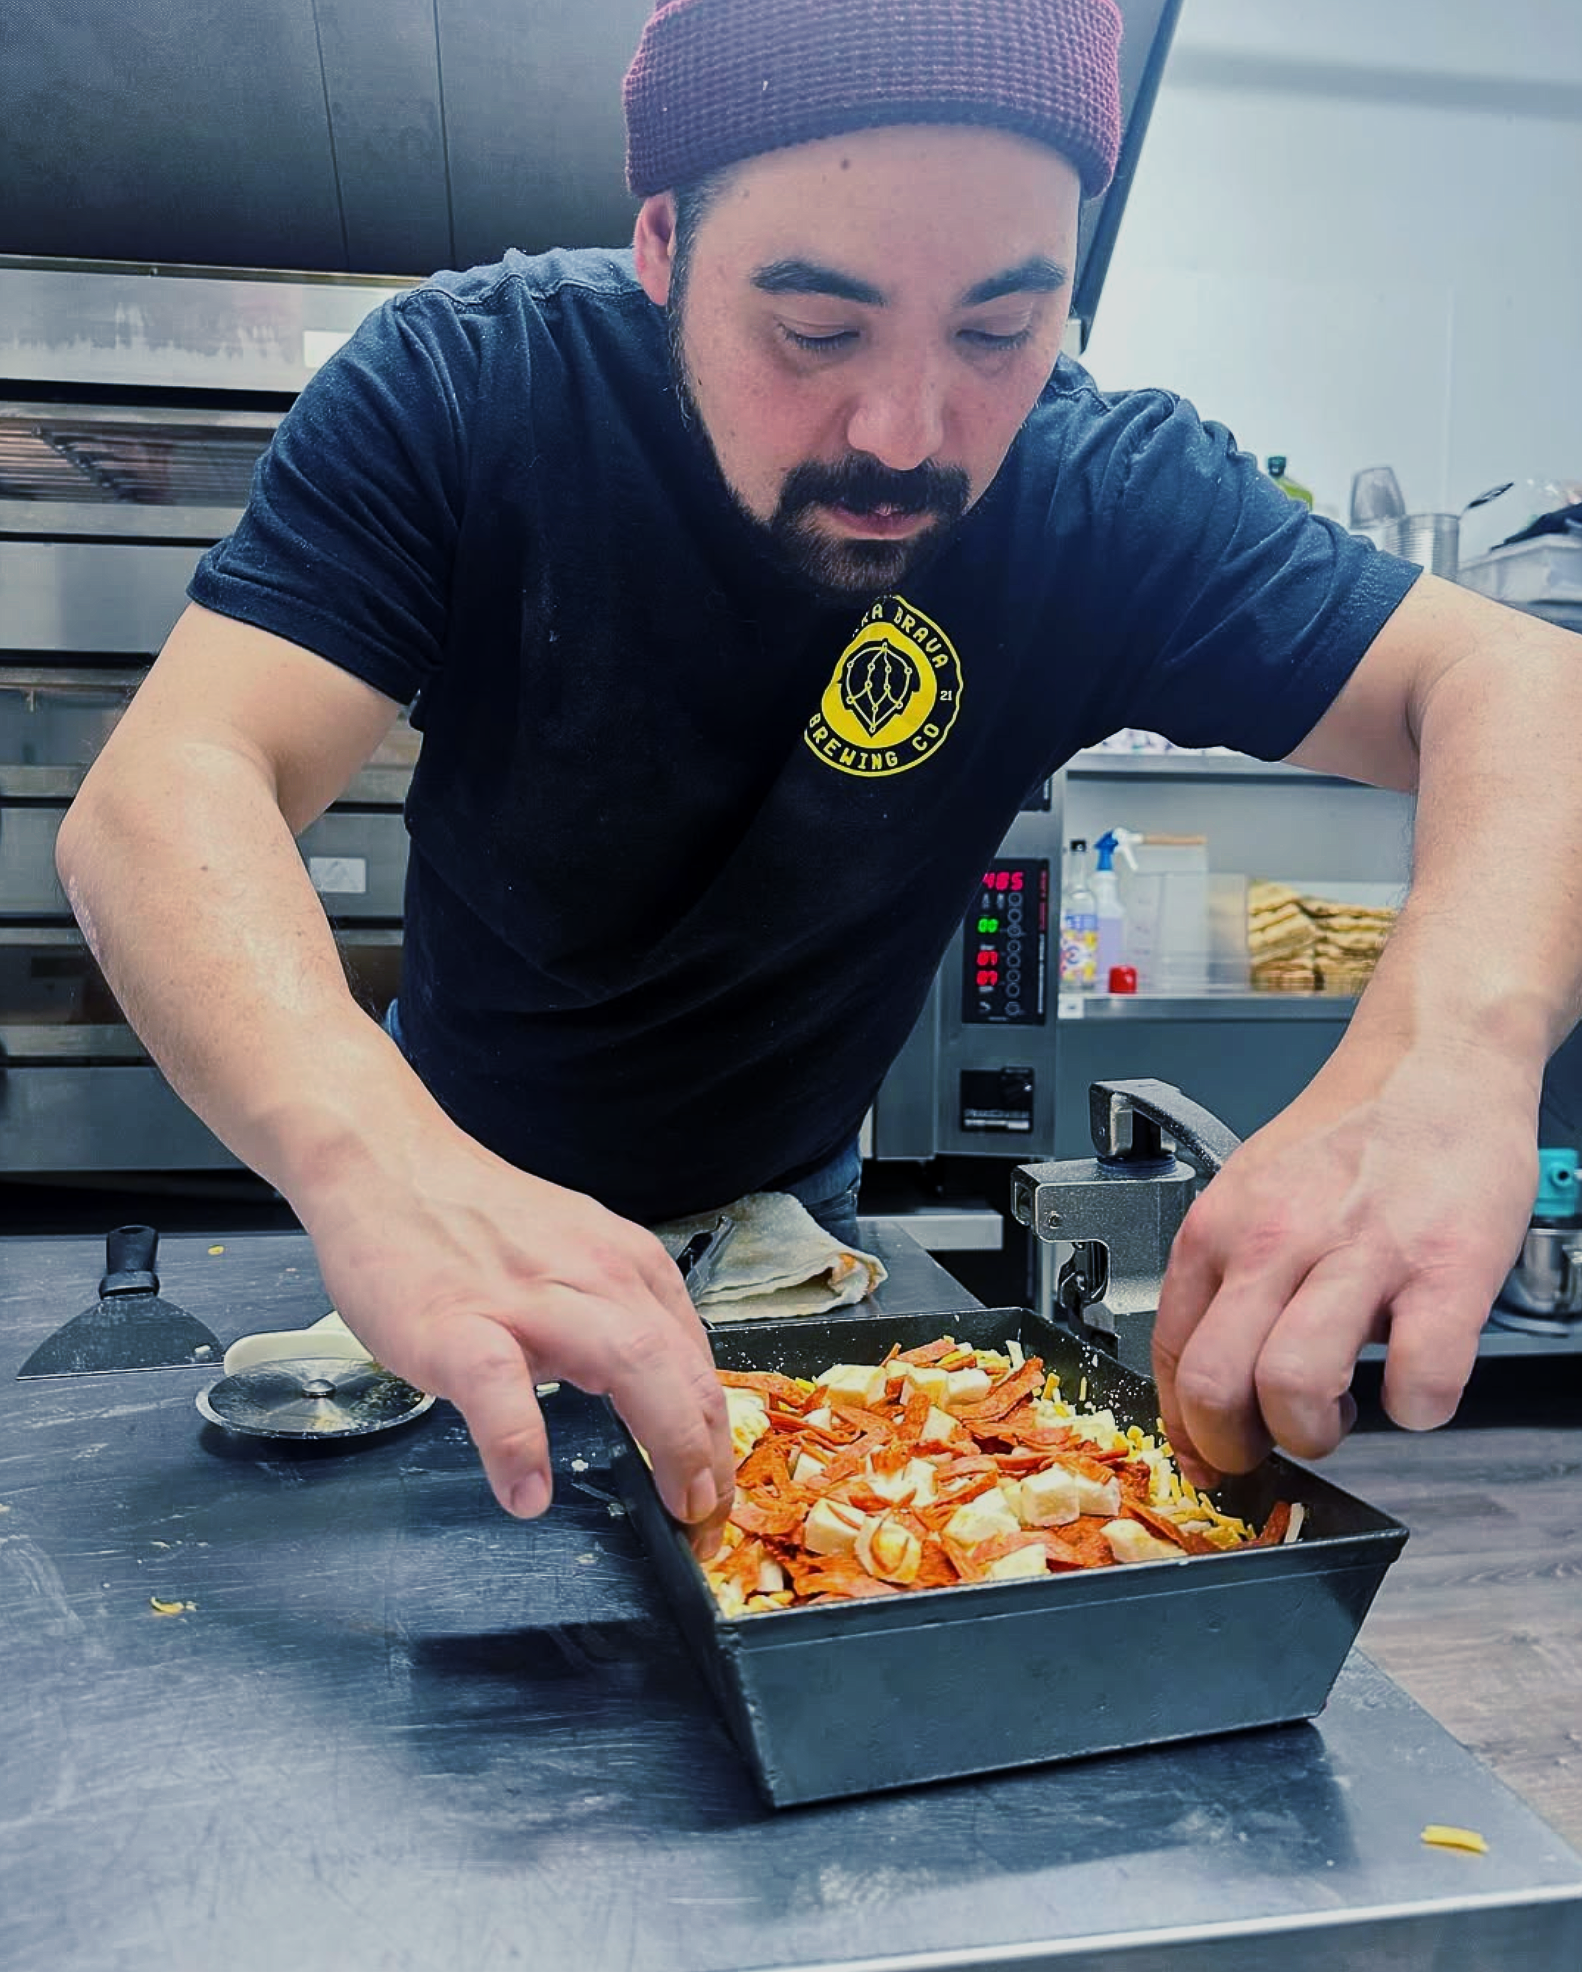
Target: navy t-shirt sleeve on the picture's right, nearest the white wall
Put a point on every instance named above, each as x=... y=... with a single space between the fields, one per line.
x=1232 y=614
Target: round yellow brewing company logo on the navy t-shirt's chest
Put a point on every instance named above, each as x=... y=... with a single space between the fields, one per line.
x=895 y=695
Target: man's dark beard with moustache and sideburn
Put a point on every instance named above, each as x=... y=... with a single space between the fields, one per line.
x=837 y=569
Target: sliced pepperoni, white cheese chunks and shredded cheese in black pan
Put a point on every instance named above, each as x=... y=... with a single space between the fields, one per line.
x=942 y=1466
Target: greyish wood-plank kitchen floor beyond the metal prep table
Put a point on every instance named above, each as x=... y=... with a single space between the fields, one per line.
x=1480 y=1620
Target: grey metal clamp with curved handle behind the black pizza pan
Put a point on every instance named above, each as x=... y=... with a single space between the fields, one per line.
x=1123 y=1208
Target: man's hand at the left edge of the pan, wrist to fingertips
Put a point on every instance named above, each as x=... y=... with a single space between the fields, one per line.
x=482 y=1283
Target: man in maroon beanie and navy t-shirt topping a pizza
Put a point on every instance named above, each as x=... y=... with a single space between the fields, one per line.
x=743 y=589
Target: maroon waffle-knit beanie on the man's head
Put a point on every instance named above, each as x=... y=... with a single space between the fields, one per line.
x=725 y=80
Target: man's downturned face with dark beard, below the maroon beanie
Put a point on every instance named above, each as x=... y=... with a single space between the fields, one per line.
x=863 y=326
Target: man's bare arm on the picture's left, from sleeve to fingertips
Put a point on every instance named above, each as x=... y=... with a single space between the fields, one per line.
x=470 y=1279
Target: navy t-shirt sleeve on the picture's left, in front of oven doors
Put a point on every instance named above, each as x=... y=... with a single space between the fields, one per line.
x=350 y=529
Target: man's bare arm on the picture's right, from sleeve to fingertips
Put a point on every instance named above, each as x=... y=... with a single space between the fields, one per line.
x=1390 y=1200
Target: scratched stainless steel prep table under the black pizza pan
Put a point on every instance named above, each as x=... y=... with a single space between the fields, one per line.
x=401 y=1730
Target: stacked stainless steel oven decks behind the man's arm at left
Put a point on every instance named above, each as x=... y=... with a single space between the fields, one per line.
x=133 y=409
